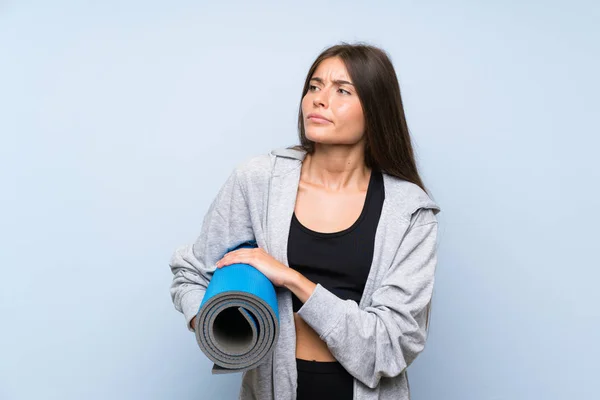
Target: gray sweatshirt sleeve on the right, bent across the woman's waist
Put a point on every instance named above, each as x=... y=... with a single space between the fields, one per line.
x=384 y=338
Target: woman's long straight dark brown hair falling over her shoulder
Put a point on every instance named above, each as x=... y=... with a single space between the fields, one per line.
x=388 y=144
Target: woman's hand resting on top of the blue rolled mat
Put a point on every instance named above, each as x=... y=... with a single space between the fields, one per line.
x=275 y=271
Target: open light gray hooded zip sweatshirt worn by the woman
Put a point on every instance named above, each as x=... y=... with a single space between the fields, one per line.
x=375 y=340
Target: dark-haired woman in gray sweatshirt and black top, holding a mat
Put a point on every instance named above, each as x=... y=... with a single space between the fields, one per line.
x=346 y=232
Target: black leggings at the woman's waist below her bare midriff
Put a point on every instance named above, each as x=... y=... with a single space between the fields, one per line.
x=323 y=380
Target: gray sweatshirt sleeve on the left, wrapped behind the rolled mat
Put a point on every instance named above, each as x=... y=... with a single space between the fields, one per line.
x=226 y=224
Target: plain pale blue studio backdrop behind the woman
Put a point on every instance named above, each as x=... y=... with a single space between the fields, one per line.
x=120 y=120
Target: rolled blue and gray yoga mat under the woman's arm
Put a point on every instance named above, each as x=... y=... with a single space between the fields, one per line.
x=237 y=324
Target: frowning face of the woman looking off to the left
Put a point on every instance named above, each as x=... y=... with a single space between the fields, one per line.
x=332 y=96
